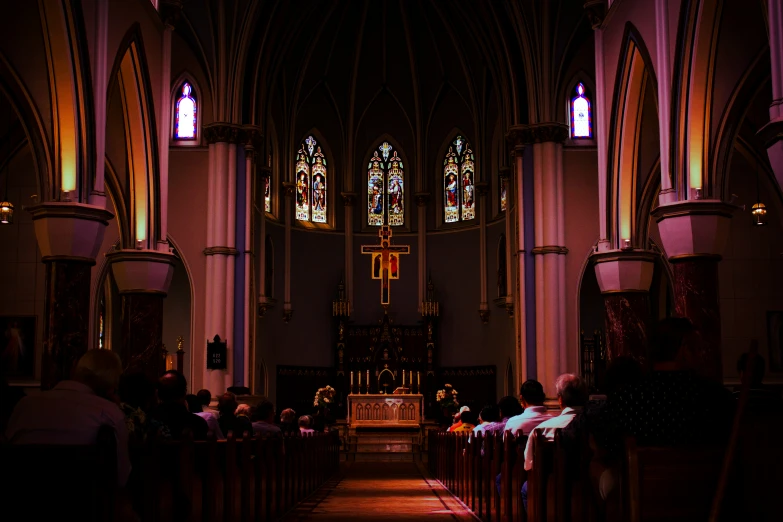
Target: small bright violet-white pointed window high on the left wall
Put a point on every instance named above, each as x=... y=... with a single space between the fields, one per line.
x=186 y=133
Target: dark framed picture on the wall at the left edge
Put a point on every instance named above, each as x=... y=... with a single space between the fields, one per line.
x=17 y=345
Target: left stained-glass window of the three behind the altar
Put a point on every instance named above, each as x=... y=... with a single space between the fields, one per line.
x=311 y=177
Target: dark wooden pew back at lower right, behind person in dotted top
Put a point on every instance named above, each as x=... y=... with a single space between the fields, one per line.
x=672 y=484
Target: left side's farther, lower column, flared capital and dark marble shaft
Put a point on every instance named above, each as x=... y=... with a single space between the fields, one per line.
x=143 y=278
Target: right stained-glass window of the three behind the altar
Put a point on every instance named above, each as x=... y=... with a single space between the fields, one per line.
x=459 y=182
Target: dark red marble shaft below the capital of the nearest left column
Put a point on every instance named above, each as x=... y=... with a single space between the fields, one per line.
x=66 y=318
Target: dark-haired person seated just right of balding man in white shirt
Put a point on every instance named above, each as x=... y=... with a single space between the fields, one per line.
x=139 y=396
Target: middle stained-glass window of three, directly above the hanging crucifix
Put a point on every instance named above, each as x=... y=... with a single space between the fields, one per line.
x=385 y=188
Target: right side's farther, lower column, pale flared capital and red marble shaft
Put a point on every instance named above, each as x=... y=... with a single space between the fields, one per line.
x=624 y=277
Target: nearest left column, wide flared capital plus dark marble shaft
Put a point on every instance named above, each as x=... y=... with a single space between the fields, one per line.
x=69 y=236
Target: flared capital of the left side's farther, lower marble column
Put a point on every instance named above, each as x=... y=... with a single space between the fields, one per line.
x=142 y=271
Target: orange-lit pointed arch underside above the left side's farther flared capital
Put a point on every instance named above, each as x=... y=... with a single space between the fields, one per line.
x=130 y=75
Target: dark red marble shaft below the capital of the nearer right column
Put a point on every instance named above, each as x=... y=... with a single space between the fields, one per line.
x=696 y=297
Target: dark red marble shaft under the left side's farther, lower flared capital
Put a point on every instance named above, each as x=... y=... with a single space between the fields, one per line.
x=142 y=333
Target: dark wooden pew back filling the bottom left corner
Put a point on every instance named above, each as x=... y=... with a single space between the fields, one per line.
x=56 y=482
